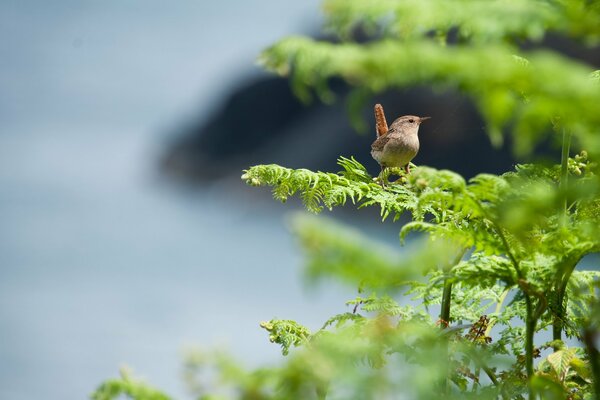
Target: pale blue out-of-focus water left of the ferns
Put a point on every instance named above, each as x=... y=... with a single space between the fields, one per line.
x=101 y=263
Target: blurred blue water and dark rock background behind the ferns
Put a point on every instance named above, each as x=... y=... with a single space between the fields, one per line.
x=126 y=232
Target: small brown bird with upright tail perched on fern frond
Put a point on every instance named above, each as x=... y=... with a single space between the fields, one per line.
x=398 y=145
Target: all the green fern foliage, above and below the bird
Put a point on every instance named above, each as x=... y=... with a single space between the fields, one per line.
x=497 y=258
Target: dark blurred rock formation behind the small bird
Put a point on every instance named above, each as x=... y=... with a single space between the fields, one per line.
x=262 y=122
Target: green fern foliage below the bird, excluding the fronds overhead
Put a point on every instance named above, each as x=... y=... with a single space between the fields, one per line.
x=523 y=245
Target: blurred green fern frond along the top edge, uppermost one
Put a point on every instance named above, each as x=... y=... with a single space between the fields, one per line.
x=477 y=21
